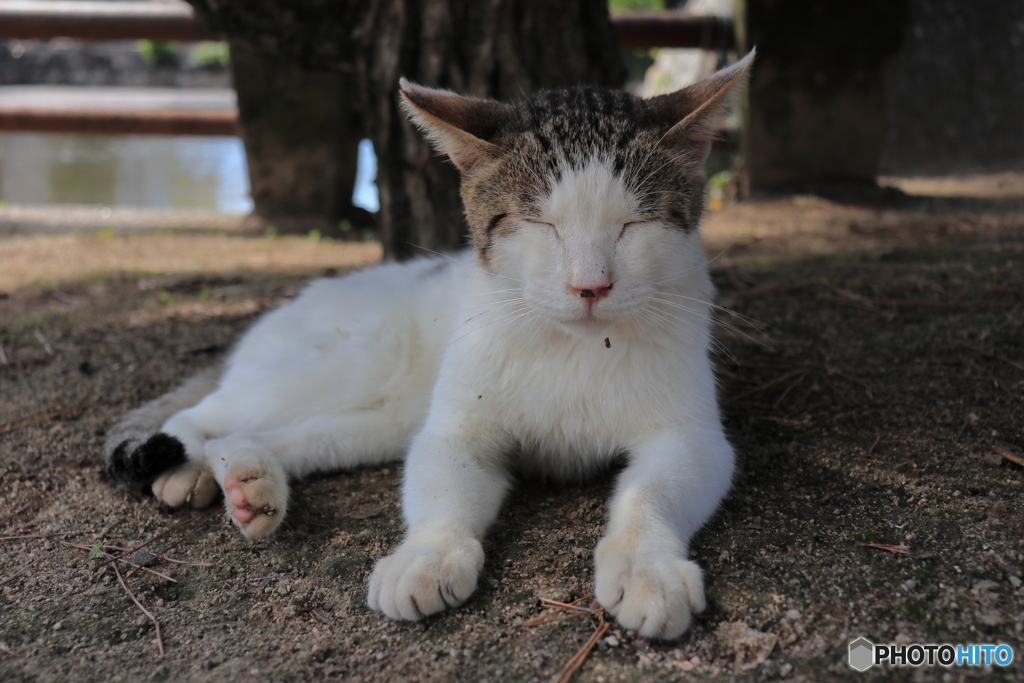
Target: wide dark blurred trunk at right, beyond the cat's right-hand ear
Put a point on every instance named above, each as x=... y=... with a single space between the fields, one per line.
x=818 y=104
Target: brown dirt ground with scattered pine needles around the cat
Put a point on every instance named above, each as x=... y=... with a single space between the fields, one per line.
x=873 y=381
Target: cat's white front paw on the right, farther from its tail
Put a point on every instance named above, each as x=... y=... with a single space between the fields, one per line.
x=652 y=593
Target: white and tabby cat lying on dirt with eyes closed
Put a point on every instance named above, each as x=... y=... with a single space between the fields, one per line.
x=574 y=332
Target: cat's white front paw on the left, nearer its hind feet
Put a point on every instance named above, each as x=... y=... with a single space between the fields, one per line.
x=430 y=573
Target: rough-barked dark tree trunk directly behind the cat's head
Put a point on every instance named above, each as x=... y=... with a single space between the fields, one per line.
x=497 y=49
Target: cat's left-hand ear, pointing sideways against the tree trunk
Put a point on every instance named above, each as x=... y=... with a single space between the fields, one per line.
x=455 y=125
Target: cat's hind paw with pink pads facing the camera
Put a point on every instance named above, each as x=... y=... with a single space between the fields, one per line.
x=257 y=500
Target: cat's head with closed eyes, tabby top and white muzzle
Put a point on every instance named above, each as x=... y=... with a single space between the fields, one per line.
x=589 y=198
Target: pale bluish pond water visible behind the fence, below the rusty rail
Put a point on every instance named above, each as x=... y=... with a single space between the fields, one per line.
x=174 y=173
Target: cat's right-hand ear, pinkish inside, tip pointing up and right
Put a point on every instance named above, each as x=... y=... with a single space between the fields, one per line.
x=693 y=115
